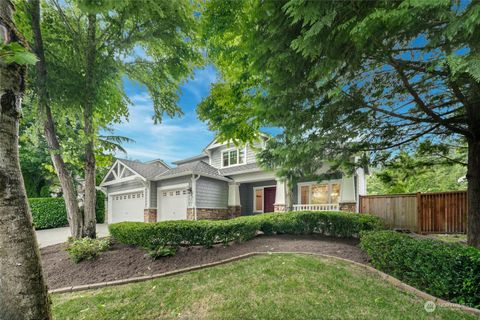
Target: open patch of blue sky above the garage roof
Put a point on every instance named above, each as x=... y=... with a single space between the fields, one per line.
x=174 y=138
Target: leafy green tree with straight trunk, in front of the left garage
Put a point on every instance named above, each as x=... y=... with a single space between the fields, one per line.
x=151 y=42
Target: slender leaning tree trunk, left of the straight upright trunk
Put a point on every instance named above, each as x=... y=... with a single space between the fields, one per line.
x=75 y=219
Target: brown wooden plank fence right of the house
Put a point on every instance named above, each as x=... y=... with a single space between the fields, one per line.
x=437 y=212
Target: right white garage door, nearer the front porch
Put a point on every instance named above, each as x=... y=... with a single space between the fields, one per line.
x=173 y=204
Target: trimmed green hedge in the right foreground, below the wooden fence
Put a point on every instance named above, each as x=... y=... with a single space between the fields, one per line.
x=448 y=271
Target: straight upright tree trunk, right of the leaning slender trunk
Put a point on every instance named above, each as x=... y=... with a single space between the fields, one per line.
x=90 y=192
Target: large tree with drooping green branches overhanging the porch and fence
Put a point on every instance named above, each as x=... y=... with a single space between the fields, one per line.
x=345 y=77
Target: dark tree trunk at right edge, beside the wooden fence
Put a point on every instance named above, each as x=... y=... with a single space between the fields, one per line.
x=473 y=193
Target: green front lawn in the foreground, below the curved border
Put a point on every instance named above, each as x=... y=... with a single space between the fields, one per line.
x=283 y=286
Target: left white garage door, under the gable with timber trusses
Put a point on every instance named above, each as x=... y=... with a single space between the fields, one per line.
x=128 y=207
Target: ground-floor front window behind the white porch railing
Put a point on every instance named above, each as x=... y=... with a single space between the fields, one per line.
x=319 y=193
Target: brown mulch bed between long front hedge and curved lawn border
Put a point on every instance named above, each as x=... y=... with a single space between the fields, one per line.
x=122 y=262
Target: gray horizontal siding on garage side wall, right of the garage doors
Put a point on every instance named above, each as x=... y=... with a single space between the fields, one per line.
x=212 y=193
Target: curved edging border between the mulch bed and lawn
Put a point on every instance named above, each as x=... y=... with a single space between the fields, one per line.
x=397 y=283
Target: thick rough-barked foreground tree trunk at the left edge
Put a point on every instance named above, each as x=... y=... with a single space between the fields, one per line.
x=23 y=293
